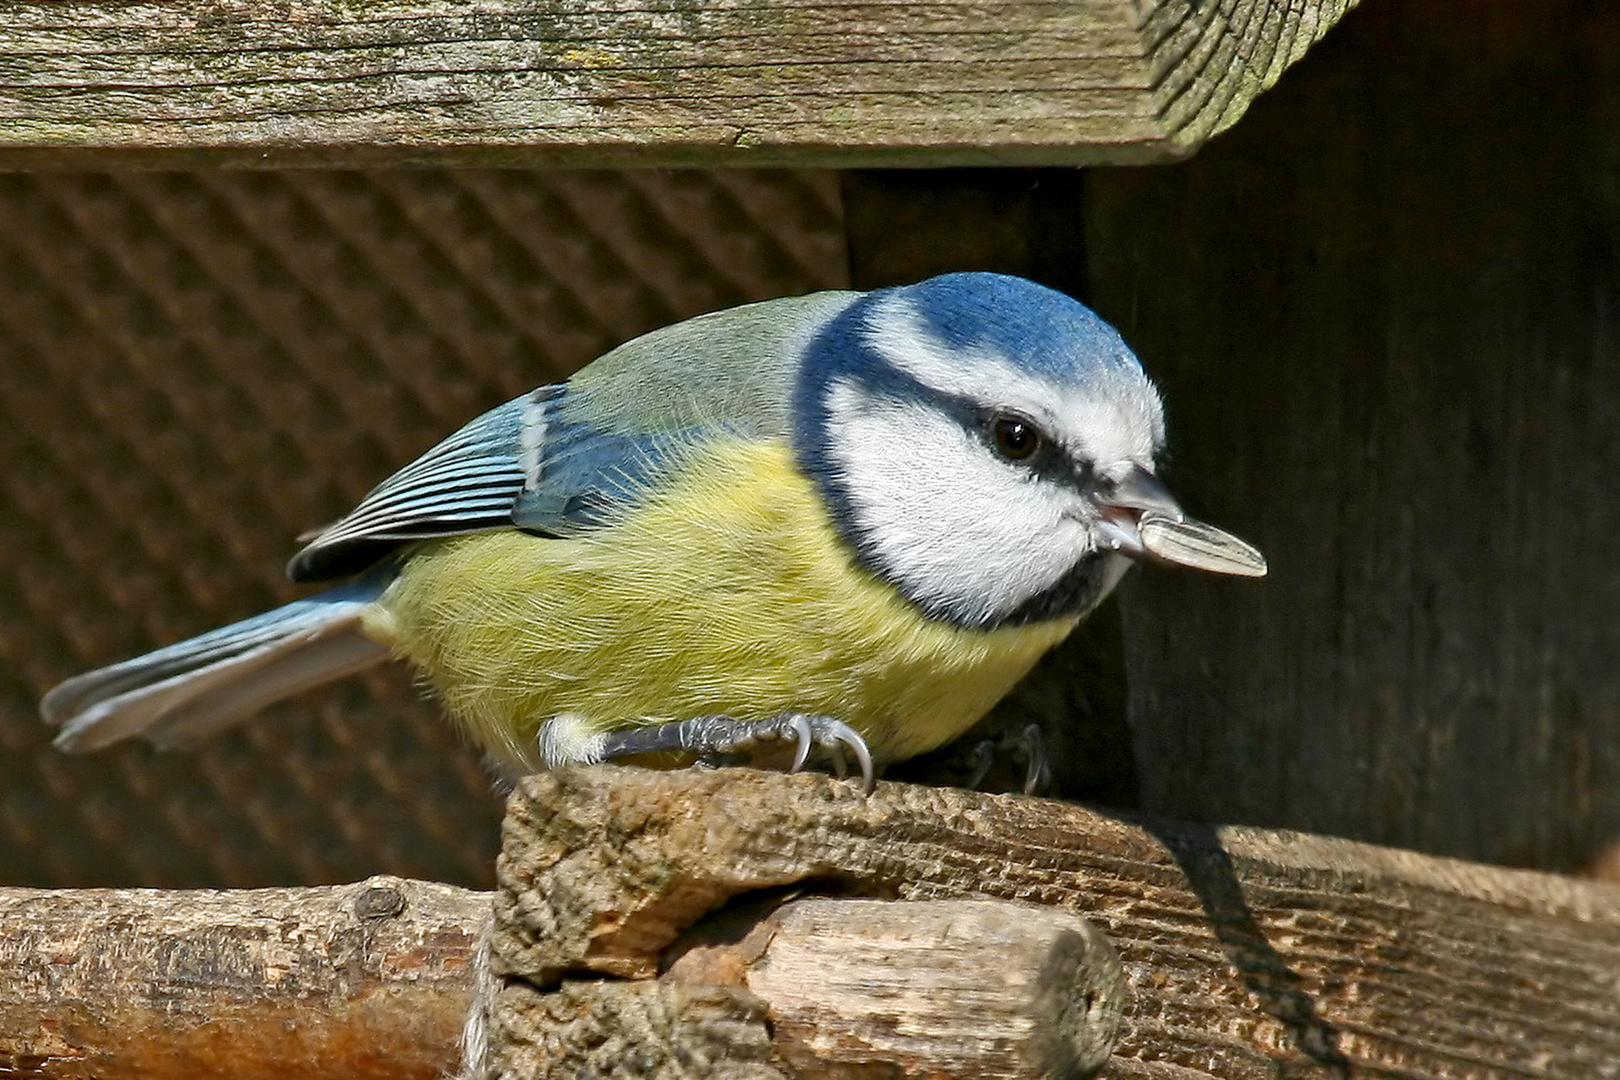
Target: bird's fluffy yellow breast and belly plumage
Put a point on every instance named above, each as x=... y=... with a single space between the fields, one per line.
x=728 y=592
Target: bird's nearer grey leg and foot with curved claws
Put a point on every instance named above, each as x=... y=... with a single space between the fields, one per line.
x=718 y=739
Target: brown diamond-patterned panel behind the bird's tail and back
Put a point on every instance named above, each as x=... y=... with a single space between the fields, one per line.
x=200 y=367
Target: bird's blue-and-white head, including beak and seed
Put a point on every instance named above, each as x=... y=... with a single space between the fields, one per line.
x=989 y=448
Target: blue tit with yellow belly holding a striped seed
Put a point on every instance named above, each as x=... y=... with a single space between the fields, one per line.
x=842 y=522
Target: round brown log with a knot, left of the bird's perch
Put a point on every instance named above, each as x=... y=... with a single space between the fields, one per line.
x=360 y=980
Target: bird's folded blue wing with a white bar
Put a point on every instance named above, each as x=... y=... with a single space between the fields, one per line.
x=521 y=466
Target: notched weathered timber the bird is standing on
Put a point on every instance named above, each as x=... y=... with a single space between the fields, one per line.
x=1248 y=955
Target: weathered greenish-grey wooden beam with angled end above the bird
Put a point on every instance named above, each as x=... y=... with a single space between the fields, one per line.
x=95 y=83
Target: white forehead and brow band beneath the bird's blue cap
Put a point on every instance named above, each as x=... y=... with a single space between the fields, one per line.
x=1107 y=412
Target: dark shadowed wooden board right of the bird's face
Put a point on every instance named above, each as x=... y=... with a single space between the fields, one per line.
x=1383 y=312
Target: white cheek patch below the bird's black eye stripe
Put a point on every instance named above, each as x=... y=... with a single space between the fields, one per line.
x=955 y=527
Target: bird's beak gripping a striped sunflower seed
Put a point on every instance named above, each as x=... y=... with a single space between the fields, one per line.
x=1143 y=521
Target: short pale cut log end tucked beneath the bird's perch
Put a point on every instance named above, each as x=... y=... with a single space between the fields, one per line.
x=983 y=990
